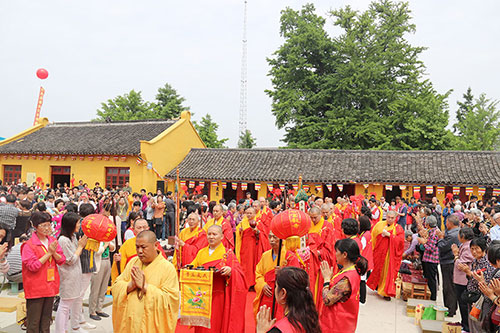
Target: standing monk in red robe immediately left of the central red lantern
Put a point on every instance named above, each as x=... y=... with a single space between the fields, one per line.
x=251 y=242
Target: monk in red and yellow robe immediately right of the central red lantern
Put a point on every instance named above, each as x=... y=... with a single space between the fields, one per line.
x=320 y=241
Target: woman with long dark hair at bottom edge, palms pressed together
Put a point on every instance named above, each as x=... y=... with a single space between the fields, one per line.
x=293 y=294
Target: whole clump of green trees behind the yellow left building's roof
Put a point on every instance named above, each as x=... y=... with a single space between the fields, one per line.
x=131 y=106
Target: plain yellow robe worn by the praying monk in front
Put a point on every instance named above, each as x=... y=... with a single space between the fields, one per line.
x=158 y=309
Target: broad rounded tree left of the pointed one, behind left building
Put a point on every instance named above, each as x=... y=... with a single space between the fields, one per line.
x=129 y=106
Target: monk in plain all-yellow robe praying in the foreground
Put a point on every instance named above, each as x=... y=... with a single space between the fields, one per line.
x=146 y=294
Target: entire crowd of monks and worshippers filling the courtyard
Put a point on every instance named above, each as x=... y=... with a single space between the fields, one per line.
x=351 y=244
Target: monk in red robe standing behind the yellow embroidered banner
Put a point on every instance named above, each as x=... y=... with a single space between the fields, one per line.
x=229 y=289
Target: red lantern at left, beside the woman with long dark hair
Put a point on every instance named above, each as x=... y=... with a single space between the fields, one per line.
x=98 y=228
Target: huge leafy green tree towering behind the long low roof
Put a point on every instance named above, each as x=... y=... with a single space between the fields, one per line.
x=361 y=89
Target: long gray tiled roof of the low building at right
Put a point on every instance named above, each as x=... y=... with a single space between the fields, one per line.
x=343 y=166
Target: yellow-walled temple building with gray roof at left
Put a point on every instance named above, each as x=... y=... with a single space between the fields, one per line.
x=110 y=153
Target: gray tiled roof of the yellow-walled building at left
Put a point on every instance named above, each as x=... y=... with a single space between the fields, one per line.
x=88 y=138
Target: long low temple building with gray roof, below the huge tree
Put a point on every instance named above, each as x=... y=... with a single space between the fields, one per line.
x=230 y=173
